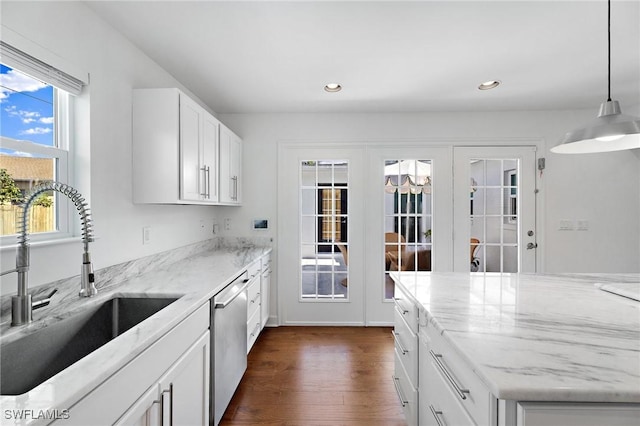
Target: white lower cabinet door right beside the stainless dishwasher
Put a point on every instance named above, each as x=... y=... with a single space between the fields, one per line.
x=184 y=389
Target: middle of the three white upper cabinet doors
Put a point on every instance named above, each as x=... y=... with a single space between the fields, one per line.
x=209 y=169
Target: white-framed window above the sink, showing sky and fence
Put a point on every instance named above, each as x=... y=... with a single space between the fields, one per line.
x=35 y=146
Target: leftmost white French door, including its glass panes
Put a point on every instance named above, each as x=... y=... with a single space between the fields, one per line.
x=321 y=224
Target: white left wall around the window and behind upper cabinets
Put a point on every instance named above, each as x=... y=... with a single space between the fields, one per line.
x=73 y=32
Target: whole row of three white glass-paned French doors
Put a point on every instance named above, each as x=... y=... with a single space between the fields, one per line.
x=348 y=216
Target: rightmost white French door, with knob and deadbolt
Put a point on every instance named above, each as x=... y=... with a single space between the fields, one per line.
x=494 y=209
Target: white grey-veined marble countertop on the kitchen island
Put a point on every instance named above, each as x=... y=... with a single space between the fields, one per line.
x=533 y=337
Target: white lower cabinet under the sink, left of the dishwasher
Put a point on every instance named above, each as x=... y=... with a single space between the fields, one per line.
x=169 y=379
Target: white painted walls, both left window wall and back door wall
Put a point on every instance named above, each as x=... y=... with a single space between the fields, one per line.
x=603 y=189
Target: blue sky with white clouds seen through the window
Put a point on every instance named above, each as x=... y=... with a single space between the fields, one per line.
x=26 y=107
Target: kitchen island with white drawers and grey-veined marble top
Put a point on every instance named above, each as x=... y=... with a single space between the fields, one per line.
x=526 y=342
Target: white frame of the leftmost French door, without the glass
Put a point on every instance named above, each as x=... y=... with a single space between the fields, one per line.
x=292 y=310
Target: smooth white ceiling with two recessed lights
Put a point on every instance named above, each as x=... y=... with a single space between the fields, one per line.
x=416 y=56
